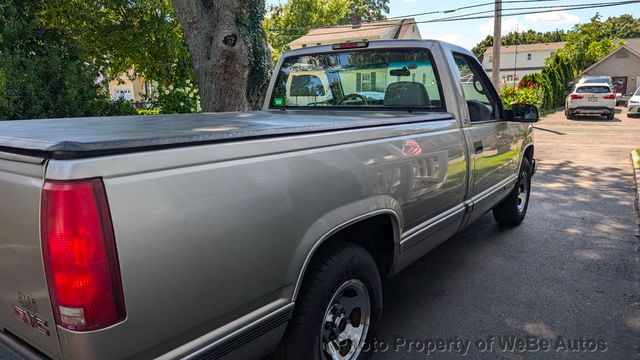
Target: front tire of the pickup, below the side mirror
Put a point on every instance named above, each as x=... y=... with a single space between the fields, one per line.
x=512 y=210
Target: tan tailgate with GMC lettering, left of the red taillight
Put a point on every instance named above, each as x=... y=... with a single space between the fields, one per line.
x=25 y=308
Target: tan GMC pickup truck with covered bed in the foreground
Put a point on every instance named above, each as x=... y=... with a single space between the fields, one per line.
x=230 y=235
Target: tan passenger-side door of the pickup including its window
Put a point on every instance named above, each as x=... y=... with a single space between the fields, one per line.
x=492 y=141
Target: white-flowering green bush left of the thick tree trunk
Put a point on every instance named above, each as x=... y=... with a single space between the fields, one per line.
x=177 y=99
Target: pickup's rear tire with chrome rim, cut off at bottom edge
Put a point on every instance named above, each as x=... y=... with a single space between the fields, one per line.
x=342 y=285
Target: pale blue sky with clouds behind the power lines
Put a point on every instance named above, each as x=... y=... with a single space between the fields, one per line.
x=469 y=32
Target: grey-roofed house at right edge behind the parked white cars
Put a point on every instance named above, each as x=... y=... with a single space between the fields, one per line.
x=623 y=65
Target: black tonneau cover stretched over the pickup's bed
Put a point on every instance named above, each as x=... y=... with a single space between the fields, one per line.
x=83 y=137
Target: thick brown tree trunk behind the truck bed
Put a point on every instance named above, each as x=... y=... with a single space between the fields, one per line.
x=228 y=50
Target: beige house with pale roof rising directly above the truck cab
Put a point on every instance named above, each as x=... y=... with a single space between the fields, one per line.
x=384 y=30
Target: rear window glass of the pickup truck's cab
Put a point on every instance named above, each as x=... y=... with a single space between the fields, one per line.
x=386 y=79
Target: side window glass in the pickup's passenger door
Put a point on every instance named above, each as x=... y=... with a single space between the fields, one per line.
x=482 y=105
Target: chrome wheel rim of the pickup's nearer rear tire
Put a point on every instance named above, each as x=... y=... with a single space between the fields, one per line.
x=346 y=322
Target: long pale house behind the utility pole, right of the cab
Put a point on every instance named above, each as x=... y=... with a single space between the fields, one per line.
x=519 y=60
